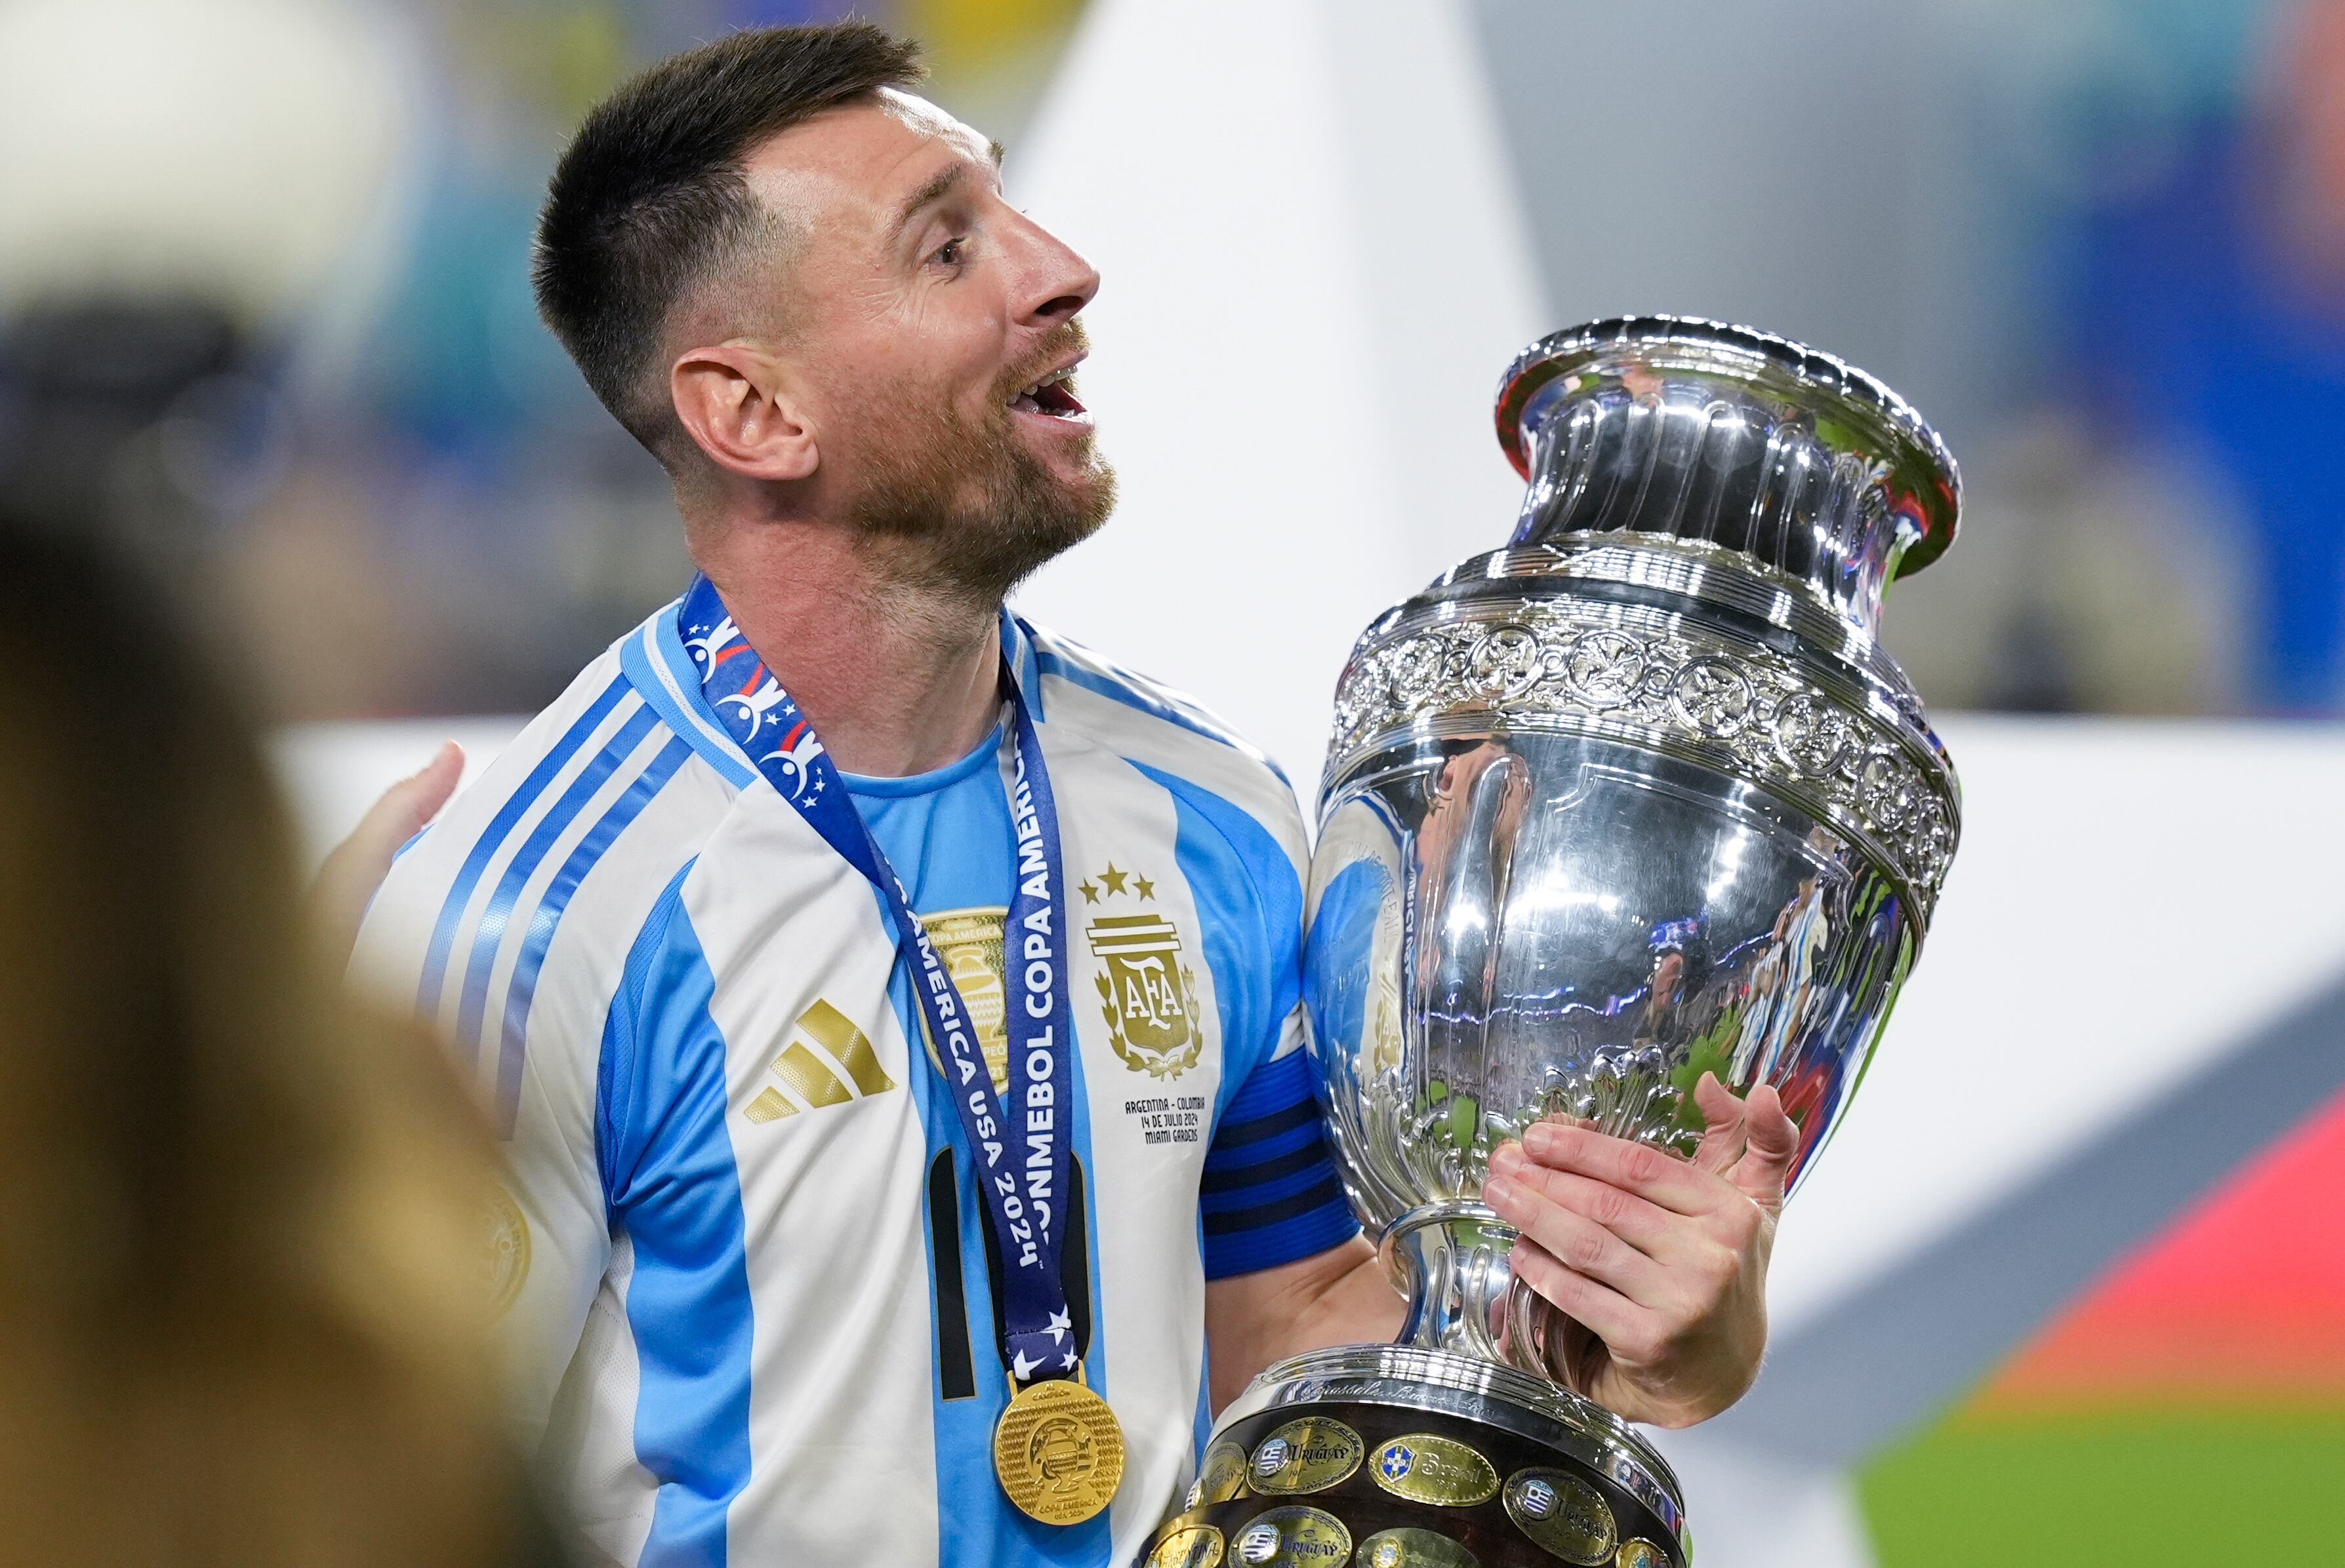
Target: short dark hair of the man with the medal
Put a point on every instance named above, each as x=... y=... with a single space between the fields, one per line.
x=651 y=193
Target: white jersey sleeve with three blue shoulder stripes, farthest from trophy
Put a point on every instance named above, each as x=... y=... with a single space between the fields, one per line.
x=508 y=929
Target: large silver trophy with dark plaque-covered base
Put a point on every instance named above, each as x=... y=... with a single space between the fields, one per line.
x=1629 y=800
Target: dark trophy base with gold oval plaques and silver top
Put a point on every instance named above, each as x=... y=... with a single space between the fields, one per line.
x=1392 y=1457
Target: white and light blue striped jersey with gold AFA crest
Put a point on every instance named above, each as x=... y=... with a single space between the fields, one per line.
x=752 y=1286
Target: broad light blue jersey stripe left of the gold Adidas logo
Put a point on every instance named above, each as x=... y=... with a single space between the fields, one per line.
x=674 y=1189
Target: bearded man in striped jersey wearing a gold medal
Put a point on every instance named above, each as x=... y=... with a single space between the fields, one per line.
x=890 y=1007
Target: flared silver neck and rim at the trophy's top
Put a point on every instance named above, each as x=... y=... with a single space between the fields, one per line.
x=1725 y=435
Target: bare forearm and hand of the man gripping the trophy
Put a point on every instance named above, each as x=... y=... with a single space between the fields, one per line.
x=1659 y=1262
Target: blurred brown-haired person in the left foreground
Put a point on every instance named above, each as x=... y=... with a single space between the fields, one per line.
x=243 y=1302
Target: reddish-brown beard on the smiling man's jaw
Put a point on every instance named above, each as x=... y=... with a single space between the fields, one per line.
x=963 y=507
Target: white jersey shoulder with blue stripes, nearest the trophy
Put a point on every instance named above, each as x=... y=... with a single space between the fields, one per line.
x=1171 y=737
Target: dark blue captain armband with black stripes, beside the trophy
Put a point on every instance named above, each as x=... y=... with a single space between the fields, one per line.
x=1270 y=1194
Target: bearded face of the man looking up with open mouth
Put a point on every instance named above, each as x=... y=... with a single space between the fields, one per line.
x=923 y=313
